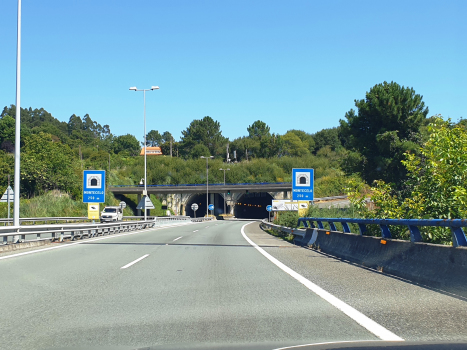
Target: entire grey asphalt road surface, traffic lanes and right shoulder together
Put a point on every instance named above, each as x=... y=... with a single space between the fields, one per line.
x=205 y=283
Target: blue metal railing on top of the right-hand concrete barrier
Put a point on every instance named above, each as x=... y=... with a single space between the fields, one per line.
x=458 y=235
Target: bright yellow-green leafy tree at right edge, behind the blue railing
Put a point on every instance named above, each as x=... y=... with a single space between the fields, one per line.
x=437 y=184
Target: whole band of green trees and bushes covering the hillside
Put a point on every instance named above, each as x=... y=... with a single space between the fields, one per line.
x=388 y=147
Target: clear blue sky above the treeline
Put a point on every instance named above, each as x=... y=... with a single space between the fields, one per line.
x=293 y=64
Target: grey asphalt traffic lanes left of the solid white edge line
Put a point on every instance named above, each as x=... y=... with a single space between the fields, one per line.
x=200 y=283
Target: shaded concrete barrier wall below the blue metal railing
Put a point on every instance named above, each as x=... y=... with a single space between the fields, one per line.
x=436 y=266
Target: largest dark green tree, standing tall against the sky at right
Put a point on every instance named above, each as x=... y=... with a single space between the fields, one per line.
x=385 y=127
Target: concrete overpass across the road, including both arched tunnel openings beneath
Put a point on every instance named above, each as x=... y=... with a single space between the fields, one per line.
x=237 y=197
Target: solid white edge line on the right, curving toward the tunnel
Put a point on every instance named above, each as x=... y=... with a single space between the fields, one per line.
x=357 y=316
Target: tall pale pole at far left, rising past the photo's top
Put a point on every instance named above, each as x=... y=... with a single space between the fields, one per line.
x=17 y=122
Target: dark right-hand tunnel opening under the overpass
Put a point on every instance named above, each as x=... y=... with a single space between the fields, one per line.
x=253 y=205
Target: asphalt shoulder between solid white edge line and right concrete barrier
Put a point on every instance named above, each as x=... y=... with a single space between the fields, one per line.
x=408 y=310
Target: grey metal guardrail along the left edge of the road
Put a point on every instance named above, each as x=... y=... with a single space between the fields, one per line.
x=18 y=234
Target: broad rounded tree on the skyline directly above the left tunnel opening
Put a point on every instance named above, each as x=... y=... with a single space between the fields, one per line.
x=205 y=131
